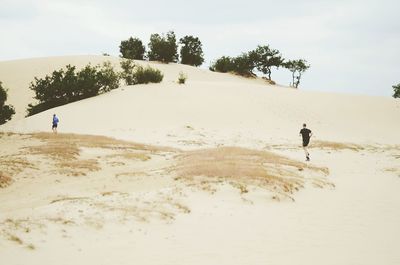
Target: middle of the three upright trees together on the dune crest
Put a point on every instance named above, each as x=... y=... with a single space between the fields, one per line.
x=163 y=48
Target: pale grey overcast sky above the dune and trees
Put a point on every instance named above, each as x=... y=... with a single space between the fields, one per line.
x=352 y=46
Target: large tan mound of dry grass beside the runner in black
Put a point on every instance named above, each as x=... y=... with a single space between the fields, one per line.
x=242 y=167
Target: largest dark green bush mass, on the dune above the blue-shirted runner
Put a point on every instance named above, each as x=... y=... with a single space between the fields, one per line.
x=66 y=86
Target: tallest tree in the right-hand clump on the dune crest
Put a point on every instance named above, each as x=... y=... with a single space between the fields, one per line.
x=265 y=58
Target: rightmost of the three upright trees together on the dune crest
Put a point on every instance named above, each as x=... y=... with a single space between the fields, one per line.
x=191 y=51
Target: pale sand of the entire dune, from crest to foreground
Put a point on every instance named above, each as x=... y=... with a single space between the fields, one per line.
x=134 y=208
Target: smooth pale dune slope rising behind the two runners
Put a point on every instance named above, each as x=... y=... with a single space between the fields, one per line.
x=223 y=106
